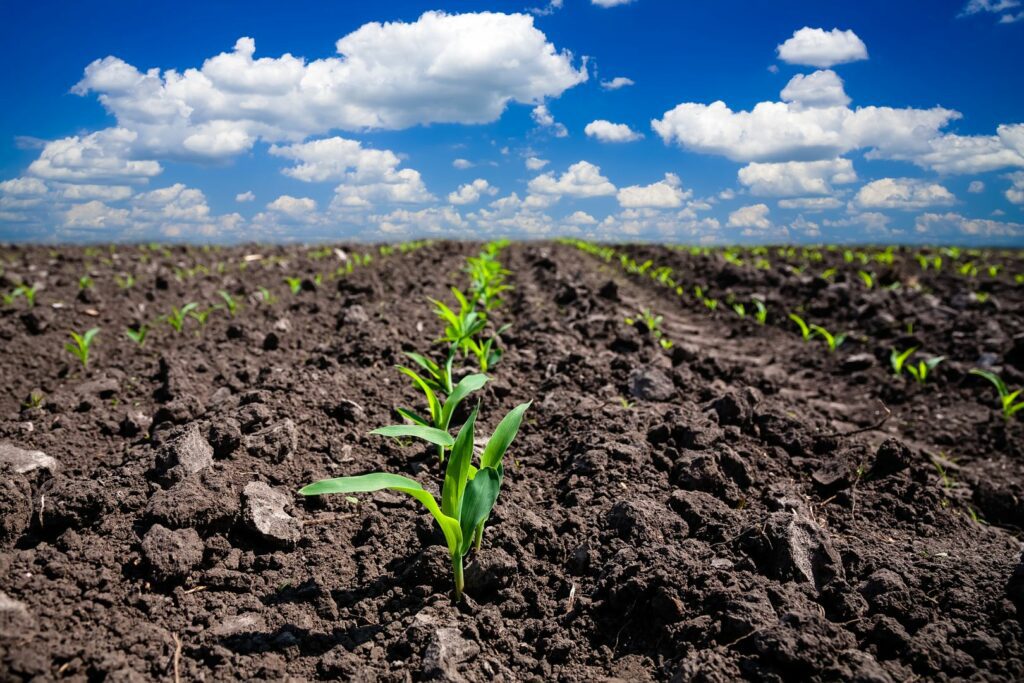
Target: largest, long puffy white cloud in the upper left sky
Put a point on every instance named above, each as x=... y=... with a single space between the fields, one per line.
x=440 y=69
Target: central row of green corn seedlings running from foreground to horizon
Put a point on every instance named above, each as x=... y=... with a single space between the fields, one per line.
x=474 y=465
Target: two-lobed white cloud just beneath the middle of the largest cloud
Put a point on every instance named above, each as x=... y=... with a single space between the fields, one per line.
x=366 y=176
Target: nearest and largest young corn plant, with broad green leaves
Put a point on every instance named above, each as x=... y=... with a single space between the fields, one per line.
x=468 y=495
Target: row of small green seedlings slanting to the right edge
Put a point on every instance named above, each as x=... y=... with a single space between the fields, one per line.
x=901 y=361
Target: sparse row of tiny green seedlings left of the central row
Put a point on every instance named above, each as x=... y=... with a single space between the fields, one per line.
x=81 y=344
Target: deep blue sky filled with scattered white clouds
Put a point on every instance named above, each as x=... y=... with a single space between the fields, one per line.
x=678 y=121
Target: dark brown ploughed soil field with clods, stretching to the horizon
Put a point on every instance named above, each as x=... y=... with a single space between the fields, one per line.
x=696 y=493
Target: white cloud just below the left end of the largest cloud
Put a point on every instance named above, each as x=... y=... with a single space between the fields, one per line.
x=104 y=155
